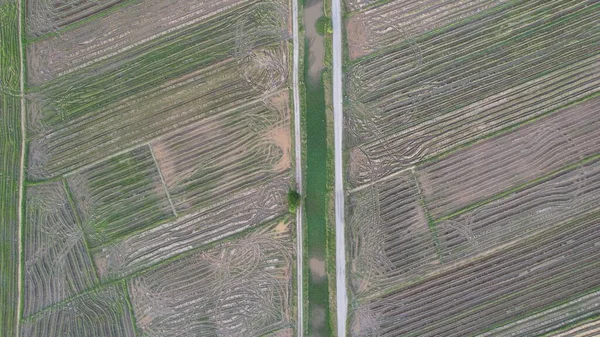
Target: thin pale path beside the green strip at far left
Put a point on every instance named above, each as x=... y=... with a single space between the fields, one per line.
x=21 y=171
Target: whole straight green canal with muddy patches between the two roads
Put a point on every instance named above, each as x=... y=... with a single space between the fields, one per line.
x=316 y=175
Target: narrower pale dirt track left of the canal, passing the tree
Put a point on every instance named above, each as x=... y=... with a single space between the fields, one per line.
x=298 y=154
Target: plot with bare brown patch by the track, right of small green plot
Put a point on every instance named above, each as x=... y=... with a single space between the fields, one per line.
x=207 y=162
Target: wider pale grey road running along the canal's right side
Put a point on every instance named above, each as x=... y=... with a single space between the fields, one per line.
x=338 y=124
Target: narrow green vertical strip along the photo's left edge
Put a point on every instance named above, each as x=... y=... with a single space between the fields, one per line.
x=10 y=151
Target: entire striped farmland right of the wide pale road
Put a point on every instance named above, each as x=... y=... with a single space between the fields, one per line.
x=473 y=146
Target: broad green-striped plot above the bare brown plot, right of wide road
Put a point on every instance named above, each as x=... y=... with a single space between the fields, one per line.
x=441 y=90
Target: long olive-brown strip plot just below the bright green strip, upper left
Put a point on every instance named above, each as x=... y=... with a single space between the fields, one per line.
x=138 y=119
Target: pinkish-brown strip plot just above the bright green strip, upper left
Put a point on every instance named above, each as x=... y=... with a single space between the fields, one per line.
x=116 y=33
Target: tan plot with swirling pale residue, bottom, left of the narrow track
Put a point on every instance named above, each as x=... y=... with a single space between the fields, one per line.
x=239 y=288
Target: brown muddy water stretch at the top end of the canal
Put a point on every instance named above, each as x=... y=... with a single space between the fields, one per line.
x=313 y=10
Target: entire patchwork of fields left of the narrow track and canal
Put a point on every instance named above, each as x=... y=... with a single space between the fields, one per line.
x=157 y=166
